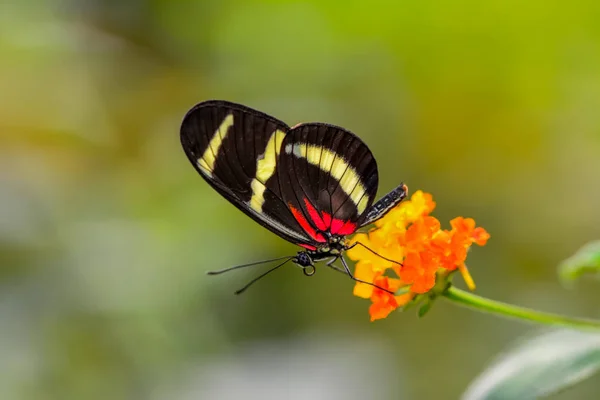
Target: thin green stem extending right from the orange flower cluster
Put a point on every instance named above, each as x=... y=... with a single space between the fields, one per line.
x=508 y=310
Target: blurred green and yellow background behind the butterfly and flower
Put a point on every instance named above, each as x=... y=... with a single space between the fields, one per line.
x=106 y=231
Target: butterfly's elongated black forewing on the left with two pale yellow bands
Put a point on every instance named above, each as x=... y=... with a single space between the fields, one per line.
x=236 y=149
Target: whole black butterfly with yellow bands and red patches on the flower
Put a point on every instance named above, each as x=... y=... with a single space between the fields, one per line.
x=312 y=184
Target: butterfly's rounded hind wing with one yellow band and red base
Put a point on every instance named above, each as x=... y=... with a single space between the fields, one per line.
x=331 y=178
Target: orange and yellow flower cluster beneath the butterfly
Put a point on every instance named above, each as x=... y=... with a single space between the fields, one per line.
x=409 y=235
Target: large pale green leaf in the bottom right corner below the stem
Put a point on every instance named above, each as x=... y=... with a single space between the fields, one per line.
x=539 y=366
